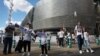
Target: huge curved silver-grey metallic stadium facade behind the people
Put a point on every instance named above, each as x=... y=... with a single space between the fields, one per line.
x=53 y=14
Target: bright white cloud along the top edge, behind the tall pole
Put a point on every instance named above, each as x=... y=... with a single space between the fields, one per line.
x=19 y=5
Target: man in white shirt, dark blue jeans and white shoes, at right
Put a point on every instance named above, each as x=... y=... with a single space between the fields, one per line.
x=79 y=34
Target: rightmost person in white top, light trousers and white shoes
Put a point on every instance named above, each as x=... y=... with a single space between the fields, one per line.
x=86 y=41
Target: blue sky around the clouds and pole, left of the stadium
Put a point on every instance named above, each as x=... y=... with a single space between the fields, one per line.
x=18 y=14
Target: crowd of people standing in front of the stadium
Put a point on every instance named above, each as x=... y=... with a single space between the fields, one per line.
x=80 y=36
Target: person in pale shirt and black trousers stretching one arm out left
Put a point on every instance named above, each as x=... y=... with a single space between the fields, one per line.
x=27 y=34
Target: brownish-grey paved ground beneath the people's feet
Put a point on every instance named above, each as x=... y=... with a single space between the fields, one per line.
x=56 y=51
